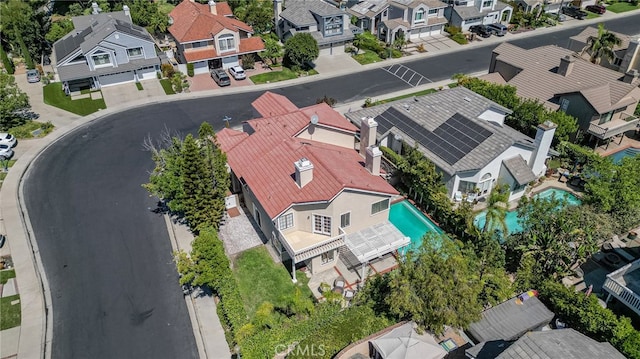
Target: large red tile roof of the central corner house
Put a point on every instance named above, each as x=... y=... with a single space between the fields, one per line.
x=265 y=160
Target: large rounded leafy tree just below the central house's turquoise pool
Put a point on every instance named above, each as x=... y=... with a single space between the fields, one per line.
x=436 y=286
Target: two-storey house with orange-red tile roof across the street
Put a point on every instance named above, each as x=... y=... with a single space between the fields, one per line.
x=207 y=36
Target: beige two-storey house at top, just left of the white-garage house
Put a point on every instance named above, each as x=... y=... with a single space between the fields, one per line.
x=409 y=19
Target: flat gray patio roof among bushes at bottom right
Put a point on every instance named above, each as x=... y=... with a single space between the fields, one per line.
x=508 y=321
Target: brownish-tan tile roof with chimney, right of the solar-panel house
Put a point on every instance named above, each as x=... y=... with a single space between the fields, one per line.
x=540 y=79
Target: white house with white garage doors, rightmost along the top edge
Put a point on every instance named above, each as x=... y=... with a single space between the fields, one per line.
x=465 y=13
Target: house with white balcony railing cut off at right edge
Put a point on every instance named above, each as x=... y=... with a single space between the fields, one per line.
x=624 y=285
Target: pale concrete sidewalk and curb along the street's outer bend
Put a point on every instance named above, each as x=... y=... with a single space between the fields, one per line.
x=36 y=328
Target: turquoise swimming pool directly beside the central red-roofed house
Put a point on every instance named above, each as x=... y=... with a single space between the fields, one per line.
x=411 y=222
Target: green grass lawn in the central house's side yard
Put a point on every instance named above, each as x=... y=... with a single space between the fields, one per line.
x=260 y=279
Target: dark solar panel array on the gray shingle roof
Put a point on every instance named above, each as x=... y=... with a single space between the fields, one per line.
x=451 y=141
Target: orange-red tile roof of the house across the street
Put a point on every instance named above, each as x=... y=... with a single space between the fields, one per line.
x=193 y=21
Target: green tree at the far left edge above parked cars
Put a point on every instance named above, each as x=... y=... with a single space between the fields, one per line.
x=13 y=102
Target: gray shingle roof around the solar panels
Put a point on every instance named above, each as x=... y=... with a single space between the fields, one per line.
x=431 y=111
